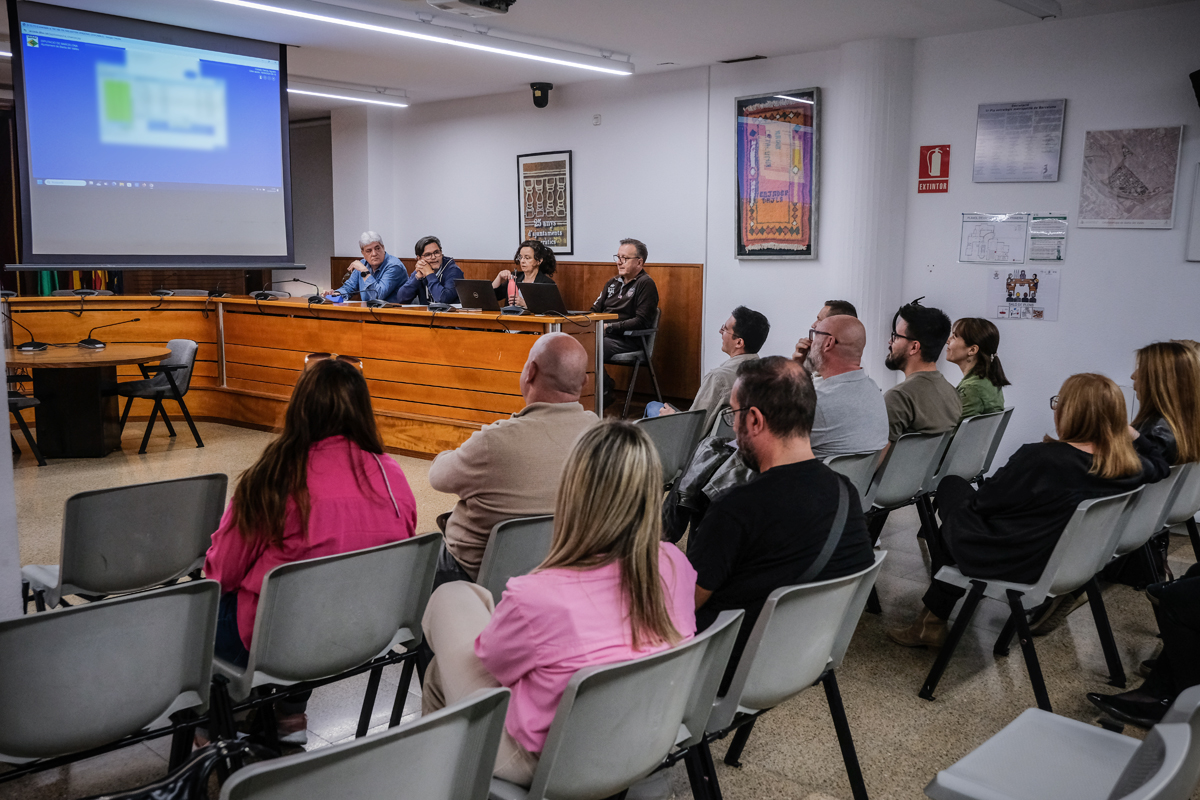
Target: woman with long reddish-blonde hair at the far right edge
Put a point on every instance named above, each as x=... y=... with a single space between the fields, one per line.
x=1167 y=382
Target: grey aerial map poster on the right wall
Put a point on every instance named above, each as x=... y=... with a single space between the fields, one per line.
x=1130 y=178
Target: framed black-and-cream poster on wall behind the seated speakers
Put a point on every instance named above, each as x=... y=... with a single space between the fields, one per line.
x=544 y=185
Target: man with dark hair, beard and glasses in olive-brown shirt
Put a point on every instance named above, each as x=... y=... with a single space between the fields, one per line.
x=925 y=402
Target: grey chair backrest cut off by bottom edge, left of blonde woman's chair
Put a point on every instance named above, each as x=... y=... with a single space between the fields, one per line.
x=446 y=756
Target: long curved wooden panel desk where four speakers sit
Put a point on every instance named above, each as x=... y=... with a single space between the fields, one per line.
x=435 y=378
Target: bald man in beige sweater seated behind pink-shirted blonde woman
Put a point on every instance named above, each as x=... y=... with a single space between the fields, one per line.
x=512 y=468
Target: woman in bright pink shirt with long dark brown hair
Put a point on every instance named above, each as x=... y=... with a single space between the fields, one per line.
x=323 y=488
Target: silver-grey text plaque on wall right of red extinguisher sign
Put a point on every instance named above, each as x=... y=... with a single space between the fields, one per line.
x=1019 y=142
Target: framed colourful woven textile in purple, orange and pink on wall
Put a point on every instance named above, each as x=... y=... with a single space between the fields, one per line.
x=777 y=175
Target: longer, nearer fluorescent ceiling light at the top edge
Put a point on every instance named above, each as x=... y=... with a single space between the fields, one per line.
x=425 y=32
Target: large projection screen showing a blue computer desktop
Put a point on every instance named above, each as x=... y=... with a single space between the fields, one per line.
x=140 y=146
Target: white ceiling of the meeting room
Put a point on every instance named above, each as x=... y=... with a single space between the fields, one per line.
x=656 y=34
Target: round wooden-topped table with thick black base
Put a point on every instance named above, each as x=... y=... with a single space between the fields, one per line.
x=77 y=416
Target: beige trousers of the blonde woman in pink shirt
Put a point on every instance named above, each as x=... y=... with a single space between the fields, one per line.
x=458 y=613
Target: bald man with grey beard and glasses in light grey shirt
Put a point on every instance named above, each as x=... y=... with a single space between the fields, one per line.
x=851 y=417
